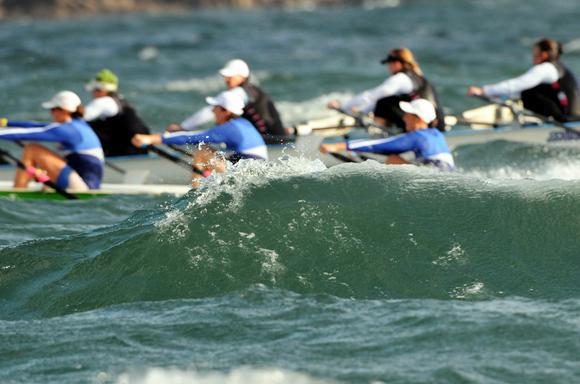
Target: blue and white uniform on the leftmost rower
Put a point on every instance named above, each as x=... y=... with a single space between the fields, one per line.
x=82 y=148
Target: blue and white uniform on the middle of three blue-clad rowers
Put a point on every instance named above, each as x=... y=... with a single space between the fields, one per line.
x=239 y=136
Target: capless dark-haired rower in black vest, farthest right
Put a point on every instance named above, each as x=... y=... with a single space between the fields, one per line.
x=548 y=88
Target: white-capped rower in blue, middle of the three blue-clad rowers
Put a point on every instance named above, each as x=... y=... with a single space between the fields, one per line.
x=241 y=138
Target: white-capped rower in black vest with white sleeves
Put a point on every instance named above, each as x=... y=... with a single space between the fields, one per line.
x=259 y=108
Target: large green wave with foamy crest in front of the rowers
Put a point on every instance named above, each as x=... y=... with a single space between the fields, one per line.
x=362 y=231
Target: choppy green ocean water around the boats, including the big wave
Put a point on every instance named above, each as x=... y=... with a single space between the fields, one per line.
x=289 y=272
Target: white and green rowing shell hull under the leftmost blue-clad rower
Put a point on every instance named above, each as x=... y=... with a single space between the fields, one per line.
x=36 y=192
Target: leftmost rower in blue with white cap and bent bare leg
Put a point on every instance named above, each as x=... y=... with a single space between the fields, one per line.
x=82 y=166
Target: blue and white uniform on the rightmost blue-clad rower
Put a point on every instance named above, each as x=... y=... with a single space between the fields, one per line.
x=428 y=144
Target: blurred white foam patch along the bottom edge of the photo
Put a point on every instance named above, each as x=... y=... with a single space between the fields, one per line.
x=237 y=376
